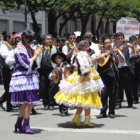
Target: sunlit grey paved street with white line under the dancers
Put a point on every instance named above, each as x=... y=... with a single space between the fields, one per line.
x=48 y=125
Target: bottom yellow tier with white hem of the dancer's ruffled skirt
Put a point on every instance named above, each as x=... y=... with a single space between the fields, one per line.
x=87 y=100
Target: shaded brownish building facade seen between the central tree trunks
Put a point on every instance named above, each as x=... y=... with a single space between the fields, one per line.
x=75 y=25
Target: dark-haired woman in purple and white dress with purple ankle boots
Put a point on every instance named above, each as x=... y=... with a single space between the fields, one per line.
x=24 y=83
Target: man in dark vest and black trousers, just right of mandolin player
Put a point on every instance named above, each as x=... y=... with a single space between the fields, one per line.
x=124 y=72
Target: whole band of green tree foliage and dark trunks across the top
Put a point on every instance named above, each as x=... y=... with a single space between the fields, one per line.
x=112 y=10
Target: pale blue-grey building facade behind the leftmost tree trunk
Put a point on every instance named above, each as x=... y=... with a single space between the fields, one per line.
x=14 y=21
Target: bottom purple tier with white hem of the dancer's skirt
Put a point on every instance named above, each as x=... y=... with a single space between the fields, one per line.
x=22 y=97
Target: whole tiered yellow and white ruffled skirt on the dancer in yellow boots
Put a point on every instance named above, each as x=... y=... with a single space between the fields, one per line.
x=79 y=91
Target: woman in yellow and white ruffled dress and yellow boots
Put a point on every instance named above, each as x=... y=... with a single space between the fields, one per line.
x=80 y=89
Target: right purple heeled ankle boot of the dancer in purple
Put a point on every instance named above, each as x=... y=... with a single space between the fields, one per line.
x=26 y=128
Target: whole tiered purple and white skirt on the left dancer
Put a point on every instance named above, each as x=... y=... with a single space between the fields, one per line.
x=24 y=88
